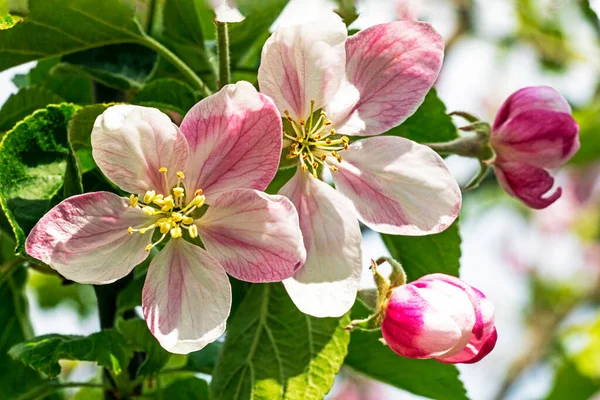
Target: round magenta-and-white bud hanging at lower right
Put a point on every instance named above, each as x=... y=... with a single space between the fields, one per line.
x=440 y=316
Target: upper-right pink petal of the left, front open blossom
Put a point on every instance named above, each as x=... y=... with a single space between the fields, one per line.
x=235 y=141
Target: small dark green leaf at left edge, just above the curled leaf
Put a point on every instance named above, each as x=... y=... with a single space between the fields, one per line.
x=23 y=103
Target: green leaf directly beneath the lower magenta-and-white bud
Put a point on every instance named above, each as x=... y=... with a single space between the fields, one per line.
x=429 y=378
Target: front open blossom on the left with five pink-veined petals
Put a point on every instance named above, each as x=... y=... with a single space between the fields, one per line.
x=202 y=181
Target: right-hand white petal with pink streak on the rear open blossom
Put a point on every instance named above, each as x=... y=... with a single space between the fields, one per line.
x=398 y=186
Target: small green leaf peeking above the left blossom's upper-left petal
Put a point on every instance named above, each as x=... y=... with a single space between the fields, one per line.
x=167 y=94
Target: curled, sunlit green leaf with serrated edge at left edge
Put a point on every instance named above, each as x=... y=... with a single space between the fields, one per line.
x=34 y=156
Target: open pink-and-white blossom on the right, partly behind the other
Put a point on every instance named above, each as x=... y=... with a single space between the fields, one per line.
x=328 y=88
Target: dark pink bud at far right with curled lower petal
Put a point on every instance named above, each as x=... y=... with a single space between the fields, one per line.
x=533 y=133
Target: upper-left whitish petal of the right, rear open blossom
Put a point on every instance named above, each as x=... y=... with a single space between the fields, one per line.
x=304 y=62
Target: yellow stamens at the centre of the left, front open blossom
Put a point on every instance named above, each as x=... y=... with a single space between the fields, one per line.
x=175 y=212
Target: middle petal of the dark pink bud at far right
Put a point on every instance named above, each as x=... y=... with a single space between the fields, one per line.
x=543 y=138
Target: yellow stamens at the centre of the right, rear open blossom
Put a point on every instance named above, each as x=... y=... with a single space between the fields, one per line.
x=314 y=141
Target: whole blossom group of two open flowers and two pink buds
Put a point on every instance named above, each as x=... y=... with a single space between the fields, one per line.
x=193 y=195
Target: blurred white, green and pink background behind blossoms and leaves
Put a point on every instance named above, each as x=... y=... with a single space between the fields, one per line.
x=540 y=268
